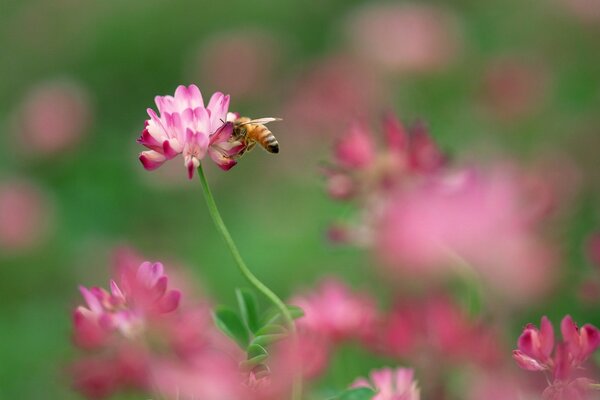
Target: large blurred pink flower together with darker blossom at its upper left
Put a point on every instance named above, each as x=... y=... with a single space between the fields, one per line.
x=425 y=218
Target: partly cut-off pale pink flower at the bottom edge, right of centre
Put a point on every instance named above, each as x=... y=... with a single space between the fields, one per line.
x=391 y=384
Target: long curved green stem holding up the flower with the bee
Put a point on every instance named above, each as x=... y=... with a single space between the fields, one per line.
x=254 y=281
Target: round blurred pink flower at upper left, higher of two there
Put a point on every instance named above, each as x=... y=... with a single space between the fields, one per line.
x=53 y=117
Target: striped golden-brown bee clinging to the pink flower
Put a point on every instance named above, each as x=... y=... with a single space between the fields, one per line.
x=252 y=131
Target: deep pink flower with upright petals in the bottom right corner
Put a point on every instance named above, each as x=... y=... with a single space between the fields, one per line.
x=537 y=350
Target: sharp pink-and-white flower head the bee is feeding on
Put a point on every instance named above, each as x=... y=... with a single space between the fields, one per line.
x=185 y=126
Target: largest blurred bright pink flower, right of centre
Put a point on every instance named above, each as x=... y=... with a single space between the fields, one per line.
x=455 y=219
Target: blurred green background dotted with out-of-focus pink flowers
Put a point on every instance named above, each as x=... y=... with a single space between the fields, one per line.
x=493 y=80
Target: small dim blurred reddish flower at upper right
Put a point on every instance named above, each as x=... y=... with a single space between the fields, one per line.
x=514 y=88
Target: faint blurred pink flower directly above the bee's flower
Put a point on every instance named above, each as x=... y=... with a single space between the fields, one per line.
x=241 y=62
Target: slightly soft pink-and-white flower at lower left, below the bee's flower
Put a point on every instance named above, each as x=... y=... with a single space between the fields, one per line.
x=125 y=308
